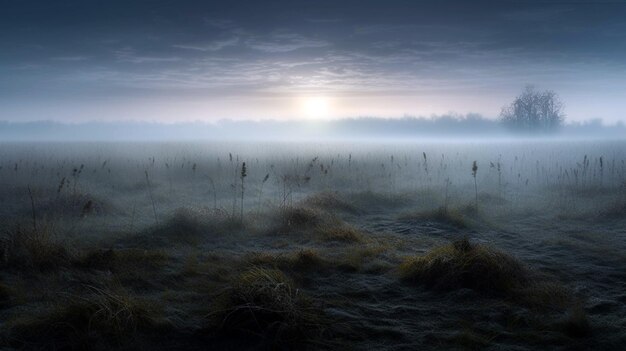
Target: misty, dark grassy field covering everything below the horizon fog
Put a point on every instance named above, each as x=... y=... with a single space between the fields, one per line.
x=366 y=246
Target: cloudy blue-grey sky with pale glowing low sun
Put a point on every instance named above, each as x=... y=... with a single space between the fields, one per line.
x=172 y=61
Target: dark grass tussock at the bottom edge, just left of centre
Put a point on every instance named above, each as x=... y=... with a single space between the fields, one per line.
x=263 y=303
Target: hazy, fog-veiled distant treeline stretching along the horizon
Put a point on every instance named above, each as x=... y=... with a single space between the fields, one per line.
x=407 y=128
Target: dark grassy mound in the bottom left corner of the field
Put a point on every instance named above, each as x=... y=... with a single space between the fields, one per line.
x=102 y=320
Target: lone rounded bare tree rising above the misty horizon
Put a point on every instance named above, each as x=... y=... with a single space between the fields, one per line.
x=534 y=111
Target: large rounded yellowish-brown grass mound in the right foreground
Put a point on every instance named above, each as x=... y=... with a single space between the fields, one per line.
x=463 y=264
